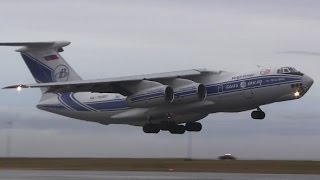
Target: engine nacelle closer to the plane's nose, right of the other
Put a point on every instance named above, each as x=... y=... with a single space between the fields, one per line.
x=190 y=93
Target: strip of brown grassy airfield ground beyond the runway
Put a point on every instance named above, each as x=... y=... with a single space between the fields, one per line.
x=123 y=164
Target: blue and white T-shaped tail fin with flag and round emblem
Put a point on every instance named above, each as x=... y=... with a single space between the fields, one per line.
x=44 y=61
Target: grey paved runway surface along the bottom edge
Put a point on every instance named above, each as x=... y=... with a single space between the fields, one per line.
x=135 y=175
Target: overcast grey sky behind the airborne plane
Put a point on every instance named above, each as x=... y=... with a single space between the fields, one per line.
x=116 y=38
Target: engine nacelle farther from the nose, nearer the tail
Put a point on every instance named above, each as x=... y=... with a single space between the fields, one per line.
x=151 y=97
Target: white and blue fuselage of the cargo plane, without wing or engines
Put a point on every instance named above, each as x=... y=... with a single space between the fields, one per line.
x=226 y=92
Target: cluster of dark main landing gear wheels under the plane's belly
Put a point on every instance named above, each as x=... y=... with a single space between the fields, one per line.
x=172 y=127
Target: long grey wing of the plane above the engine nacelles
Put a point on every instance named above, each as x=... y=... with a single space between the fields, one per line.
x=110 y=85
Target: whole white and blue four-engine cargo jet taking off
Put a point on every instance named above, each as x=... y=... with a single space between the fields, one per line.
x=171 y=101
